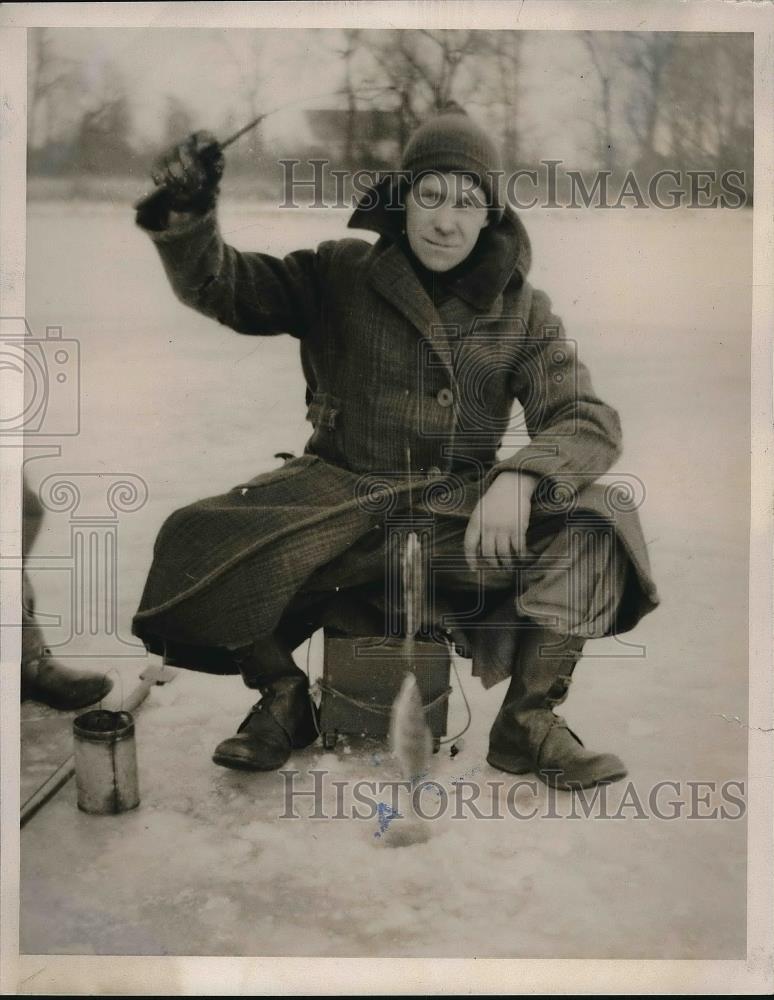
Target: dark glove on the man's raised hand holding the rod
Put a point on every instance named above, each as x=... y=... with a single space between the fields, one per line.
x=190 y=172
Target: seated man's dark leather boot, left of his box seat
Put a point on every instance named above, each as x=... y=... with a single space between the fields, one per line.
x=285 y=719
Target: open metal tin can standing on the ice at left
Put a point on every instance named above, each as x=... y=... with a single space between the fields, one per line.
x=105 y=762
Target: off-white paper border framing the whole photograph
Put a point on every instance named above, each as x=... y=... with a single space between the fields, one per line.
x=140 y=975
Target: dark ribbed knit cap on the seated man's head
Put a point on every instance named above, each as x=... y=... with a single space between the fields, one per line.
x=453 y=142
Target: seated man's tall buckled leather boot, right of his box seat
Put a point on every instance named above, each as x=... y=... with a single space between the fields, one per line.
x=528 y=737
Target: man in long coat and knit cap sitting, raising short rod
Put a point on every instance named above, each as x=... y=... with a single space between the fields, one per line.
x=414 y=346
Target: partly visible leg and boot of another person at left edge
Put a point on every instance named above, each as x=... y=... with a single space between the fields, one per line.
x=43 y=678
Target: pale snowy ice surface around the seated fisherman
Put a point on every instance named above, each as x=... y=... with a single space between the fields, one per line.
x=204 y=866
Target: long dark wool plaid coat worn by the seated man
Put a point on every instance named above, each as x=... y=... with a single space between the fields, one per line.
x=395 y=382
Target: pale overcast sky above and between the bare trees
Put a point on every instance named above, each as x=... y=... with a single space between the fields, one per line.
x=205 y=68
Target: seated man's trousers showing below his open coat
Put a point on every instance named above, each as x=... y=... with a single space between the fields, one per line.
x=571 y=582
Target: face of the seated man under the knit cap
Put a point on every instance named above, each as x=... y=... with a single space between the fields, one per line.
x=445 y=214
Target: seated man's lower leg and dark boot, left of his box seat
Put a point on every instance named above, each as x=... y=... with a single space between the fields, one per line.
x=282 y=721
